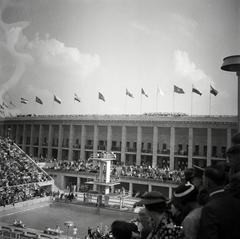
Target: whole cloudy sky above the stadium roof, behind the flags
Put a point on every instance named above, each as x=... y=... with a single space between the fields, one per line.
x=83 y=47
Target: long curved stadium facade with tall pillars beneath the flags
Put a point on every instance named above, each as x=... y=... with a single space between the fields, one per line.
x=177 y=141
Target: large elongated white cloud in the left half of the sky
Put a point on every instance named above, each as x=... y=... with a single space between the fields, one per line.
x=50 y=52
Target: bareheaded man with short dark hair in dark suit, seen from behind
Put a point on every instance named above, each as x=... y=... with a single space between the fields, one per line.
x=220 y=215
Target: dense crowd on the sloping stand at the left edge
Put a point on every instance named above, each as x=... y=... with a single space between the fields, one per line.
x=19 y=175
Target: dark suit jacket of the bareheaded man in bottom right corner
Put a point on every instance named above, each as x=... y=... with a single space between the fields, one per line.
x=220 y=217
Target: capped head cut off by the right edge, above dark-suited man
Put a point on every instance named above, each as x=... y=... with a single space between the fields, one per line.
x=233 y=155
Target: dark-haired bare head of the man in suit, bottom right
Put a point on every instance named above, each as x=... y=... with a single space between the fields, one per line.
x=214 y=178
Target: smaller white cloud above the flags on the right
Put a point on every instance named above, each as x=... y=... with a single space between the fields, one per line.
x=185 y=68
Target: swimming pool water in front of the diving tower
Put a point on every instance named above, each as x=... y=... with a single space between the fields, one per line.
x=54 y=214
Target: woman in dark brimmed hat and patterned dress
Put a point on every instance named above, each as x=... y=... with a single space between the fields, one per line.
x=156 y=207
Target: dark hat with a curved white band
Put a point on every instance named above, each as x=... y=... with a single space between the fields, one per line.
x=185 y=192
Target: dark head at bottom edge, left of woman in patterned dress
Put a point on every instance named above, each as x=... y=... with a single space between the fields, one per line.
x=121 y=230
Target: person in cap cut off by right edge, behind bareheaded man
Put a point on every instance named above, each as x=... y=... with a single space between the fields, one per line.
x=233 y=154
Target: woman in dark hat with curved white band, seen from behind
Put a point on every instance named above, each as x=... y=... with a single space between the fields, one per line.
x=186 y=195
